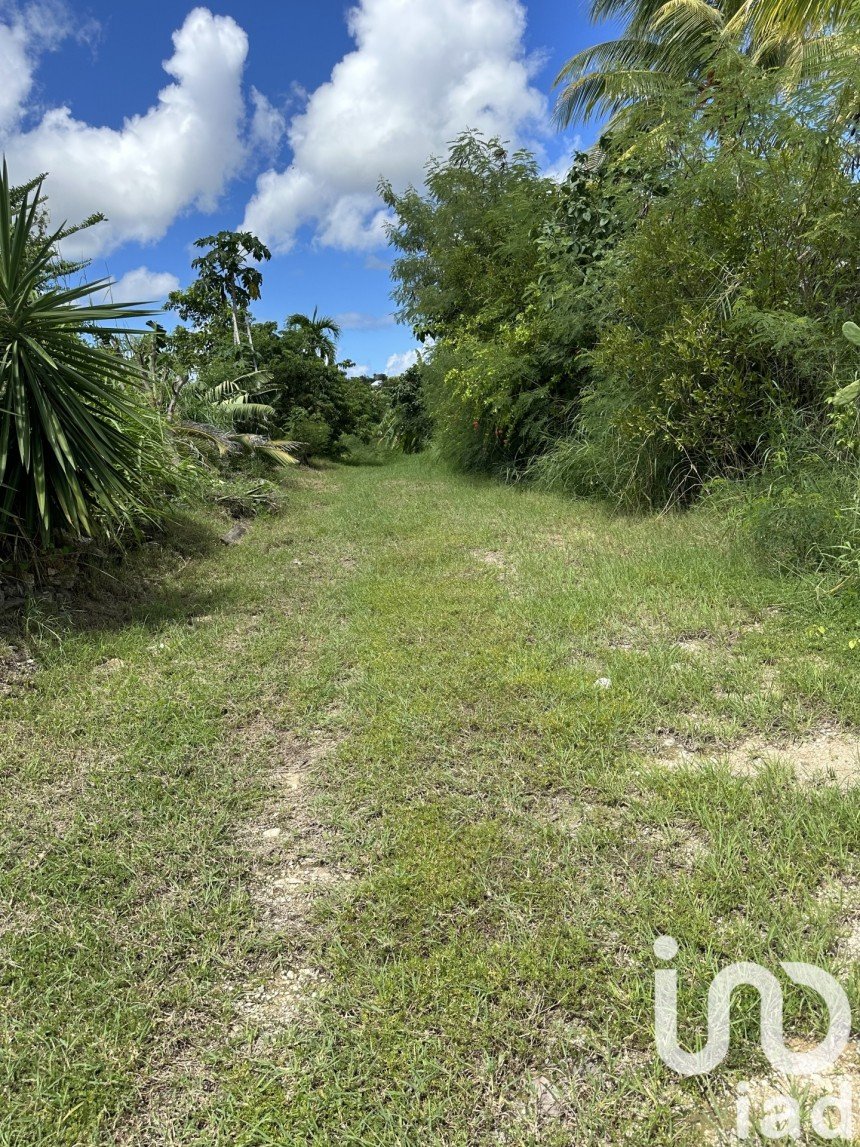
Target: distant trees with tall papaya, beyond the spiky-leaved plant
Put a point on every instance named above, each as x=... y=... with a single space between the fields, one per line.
x=226 y=370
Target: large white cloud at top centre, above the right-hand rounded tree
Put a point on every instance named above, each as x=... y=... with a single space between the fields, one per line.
x=423 y=73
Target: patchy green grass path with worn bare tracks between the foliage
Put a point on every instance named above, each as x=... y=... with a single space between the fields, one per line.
x=334 y=838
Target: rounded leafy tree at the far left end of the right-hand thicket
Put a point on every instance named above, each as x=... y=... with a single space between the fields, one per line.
x=492 y=264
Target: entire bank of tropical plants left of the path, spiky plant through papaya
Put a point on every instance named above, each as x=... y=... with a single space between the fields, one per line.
x=99 y=422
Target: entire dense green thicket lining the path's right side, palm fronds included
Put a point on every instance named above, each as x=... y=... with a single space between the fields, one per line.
x=671 y=315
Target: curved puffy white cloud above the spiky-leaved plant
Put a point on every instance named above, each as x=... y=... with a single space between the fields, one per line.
x=177 y=155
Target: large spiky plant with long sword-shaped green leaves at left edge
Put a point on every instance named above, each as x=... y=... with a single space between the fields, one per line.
x=75 y=442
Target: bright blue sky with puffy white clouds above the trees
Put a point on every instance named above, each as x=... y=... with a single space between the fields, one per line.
x=277 y=116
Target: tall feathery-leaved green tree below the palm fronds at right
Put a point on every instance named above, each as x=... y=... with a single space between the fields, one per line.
x=726 y=300
